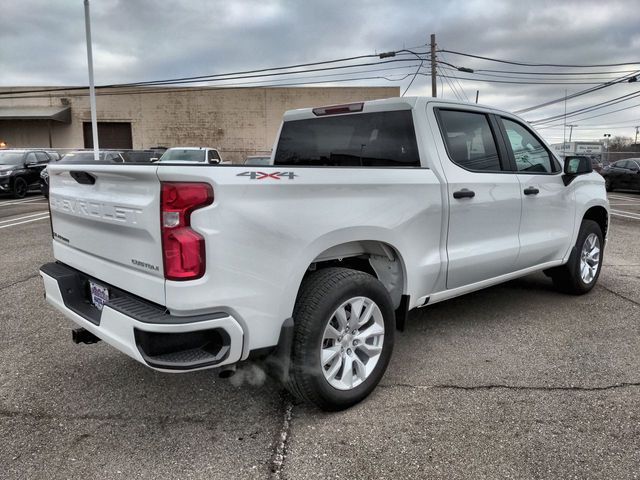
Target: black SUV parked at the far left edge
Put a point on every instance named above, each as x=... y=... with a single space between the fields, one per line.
x=20 y=170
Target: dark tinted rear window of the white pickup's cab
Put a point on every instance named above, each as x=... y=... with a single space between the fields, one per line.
x=381 y=139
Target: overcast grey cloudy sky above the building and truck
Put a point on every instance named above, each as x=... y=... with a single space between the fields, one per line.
x=42 y=43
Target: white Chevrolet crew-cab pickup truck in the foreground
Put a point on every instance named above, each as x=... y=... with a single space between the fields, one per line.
x=367 y=211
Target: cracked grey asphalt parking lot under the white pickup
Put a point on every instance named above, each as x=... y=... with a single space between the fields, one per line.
x=516 y=381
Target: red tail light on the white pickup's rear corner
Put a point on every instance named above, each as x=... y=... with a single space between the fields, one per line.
x=183 y=248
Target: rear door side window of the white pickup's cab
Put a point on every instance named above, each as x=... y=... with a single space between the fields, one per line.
x=470 y=141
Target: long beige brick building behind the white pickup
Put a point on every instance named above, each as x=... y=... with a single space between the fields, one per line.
x=237 y=121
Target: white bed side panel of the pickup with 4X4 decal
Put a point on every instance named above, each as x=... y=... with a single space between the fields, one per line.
x=262 y=234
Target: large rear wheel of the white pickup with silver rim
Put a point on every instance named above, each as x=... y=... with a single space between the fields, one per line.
x=344 y=327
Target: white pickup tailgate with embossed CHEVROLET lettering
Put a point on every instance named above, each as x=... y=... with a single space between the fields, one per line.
x=106 y=223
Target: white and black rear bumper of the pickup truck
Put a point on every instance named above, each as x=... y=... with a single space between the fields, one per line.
x=145 y=331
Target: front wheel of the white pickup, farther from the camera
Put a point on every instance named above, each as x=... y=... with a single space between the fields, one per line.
x=579 y=275
